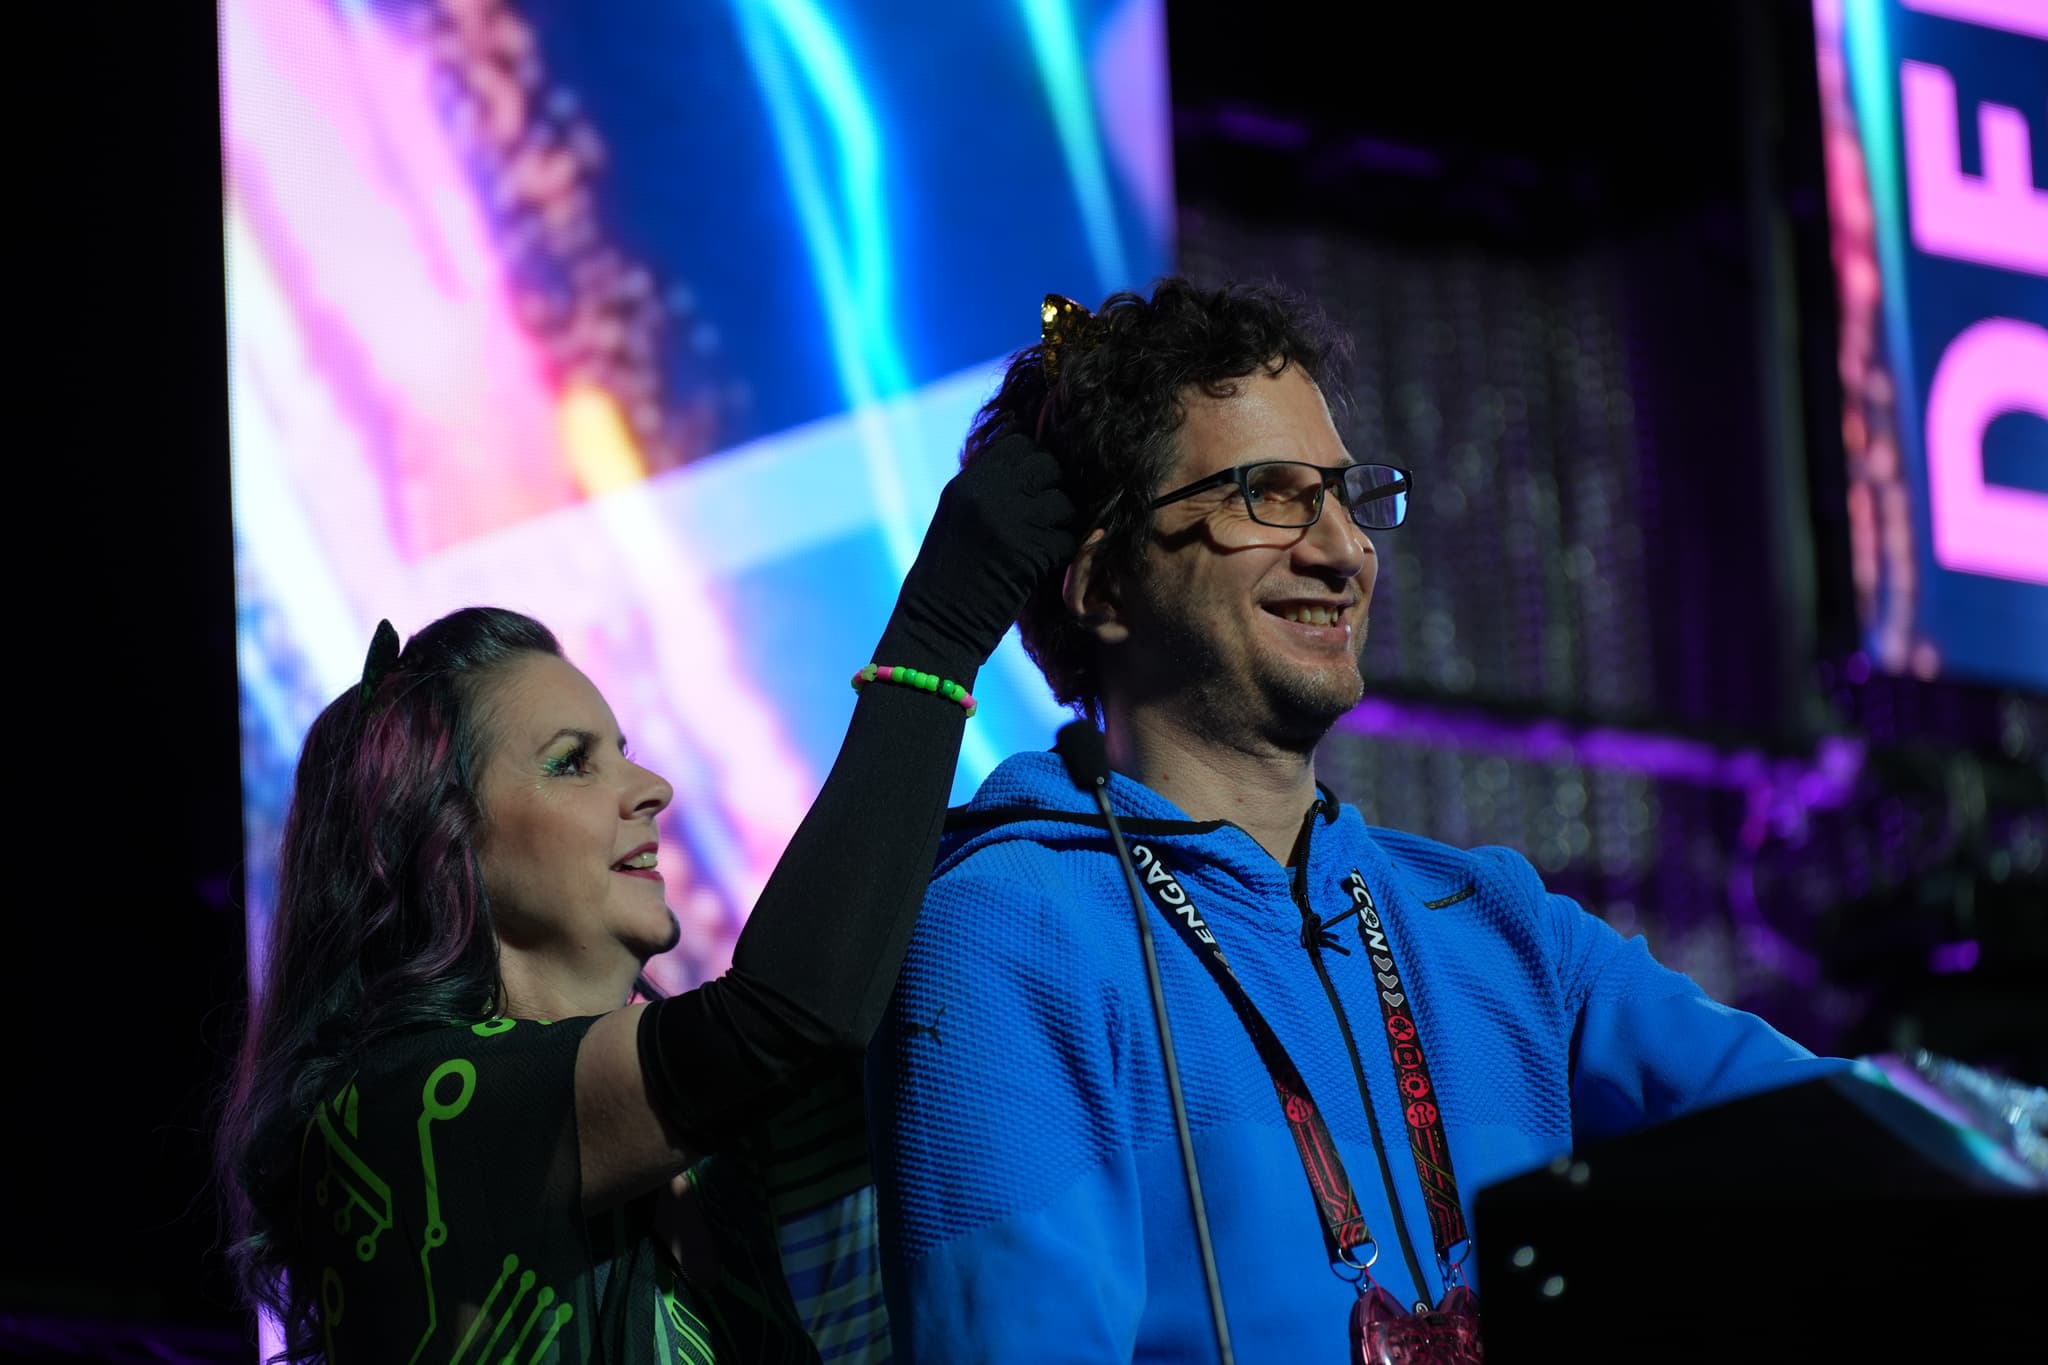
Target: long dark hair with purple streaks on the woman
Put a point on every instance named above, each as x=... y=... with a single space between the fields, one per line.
x=382 y=926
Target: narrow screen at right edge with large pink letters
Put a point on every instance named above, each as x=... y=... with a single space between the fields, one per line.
x=1936 y=124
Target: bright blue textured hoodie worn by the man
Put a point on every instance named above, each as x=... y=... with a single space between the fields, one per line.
x=1031 y=1190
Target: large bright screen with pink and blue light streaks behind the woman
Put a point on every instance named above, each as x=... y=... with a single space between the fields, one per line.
x=660 y=322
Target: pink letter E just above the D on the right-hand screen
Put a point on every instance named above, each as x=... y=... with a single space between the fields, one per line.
x=1996 y=220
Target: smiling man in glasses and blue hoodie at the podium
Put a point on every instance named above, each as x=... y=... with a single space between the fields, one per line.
x=1371 y=1026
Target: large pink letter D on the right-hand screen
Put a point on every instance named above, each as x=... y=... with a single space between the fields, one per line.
x=1998 y=367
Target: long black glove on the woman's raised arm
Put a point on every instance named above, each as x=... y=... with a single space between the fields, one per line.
x=818 y=959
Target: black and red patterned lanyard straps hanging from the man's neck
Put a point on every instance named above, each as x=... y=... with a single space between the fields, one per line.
x=1345 y=1227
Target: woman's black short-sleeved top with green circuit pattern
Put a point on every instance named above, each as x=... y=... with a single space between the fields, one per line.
x=443 y=1192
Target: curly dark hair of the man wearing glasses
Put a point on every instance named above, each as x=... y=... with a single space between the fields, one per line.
x=1113 y=414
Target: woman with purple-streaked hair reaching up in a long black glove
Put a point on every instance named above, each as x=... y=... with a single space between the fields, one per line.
x=447 y=1137
